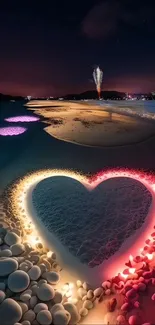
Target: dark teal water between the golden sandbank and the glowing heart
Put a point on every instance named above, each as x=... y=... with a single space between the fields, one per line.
x=35 y=149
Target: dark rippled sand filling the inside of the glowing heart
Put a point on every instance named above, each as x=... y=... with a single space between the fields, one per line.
x=91 y=224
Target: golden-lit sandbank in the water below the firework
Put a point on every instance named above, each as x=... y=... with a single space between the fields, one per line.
x=91 y=125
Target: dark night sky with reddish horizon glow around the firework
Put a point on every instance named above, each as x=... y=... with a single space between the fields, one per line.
x=50 y=48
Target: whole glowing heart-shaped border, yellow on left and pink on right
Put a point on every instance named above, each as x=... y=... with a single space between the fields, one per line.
x=21 y=195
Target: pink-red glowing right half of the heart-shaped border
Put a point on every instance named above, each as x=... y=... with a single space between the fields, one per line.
x=135 y=244
